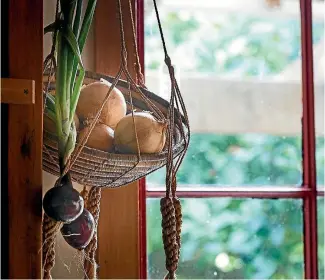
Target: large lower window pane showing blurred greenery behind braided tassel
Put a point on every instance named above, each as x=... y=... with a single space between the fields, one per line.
x=225 y=238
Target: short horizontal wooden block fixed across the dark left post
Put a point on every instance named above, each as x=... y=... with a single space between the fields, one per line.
x=17 y=91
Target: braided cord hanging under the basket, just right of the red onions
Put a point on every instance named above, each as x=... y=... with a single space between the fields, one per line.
x=93 y=206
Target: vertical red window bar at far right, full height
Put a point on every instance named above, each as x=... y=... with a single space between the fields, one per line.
x=308 y=126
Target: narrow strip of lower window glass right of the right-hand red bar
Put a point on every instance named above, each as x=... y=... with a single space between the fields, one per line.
x=321 y=253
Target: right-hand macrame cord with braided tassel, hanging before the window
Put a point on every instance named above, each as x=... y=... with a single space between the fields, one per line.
x=171 y=209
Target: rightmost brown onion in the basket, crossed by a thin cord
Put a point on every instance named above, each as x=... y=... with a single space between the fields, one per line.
x=150 y=132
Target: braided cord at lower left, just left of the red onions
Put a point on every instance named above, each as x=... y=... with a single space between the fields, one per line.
x=50 y=229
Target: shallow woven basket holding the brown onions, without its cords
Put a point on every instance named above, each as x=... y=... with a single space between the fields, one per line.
x=102 y=169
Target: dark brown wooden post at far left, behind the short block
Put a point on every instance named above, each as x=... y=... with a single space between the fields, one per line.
x=25 y=141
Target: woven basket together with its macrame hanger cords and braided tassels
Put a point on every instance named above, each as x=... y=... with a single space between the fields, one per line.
x=98 y=169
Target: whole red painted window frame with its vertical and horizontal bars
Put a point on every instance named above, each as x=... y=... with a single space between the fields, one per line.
x=308 y=191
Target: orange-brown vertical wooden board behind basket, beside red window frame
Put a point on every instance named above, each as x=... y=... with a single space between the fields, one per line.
x=118 y=232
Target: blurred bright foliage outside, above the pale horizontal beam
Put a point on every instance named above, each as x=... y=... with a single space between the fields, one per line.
x=229 y=45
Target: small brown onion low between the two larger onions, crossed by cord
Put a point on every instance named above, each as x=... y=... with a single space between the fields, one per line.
x=101 y=137
